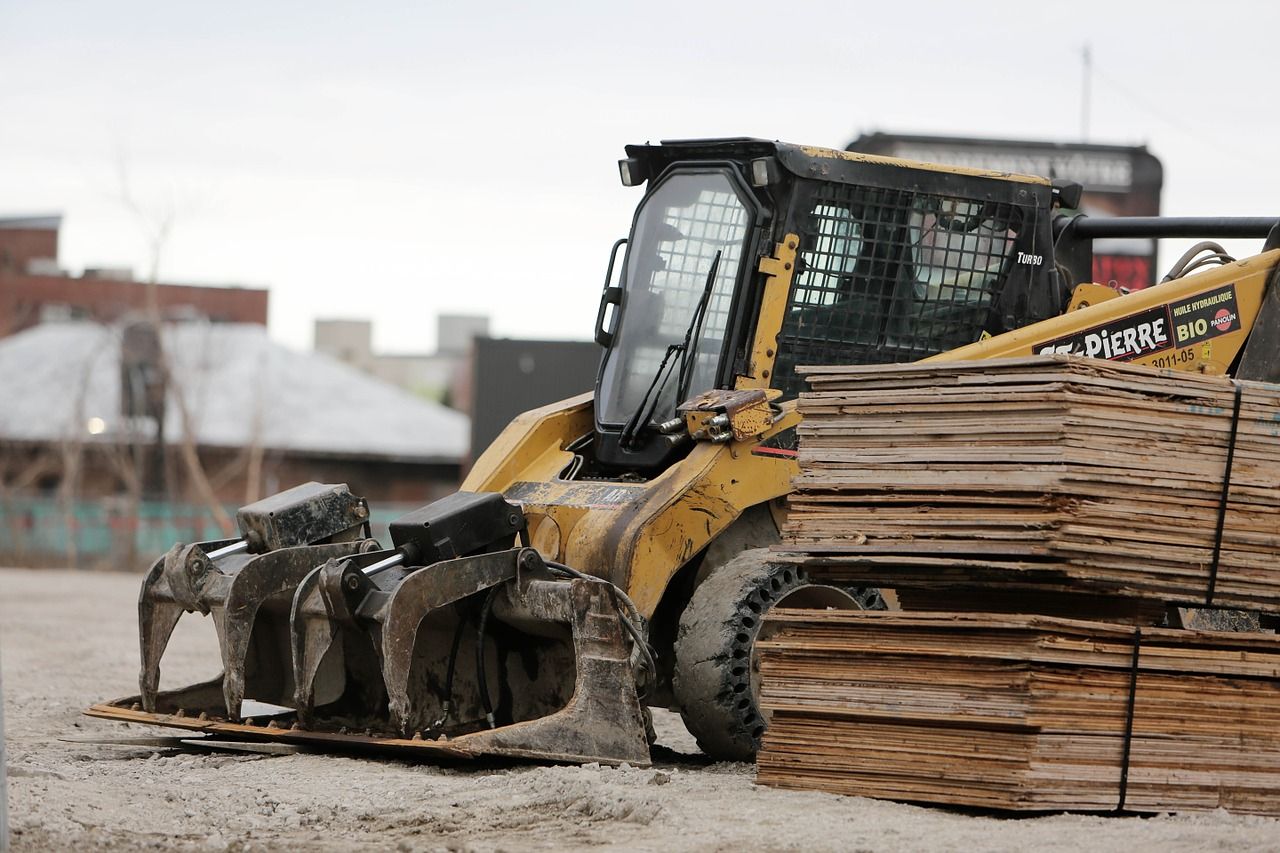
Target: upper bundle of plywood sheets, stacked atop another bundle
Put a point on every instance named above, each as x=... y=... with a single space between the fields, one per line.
x=1050 y=475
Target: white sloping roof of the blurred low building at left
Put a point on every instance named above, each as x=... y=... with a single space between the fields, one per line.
x=240 y=390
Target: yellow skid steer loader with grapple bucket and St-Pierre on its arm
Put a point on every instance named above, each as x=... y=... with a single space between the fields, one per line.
x=611 y=553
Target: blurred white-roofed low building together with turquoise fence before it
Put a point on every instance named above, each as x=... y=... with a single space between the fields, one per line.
x=116 y=445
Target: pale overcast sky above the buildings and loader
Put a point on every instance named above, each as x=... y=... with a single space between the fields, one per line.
x=395 y=161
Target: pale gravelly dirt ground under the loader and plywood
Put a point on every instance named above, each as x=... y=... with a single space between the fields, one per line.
x=68 y=640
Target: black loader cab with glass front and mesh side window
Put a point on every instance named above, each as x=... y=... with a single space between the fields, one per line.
x=895 y=262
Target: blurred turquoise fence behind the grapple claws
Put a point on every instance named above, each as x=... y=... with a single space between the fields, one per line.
x=115 y=533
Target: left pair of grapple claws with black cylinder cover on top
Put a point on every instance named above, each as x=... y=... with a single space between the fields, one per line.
x=248 y=587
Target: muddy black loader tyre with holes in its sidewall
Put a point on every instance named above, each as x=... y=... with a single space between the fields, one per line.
x=717 y=673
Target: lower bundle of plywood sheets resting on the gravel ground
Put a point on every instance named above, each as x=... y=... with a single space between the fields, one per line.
x=1021 y=713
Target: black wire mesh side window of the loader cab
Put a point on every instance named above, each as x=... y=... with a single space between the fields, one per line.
x=890 y=276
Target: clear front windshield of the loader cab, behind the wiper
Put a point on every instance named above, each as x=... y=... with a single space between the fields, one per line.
x=683 y=227
